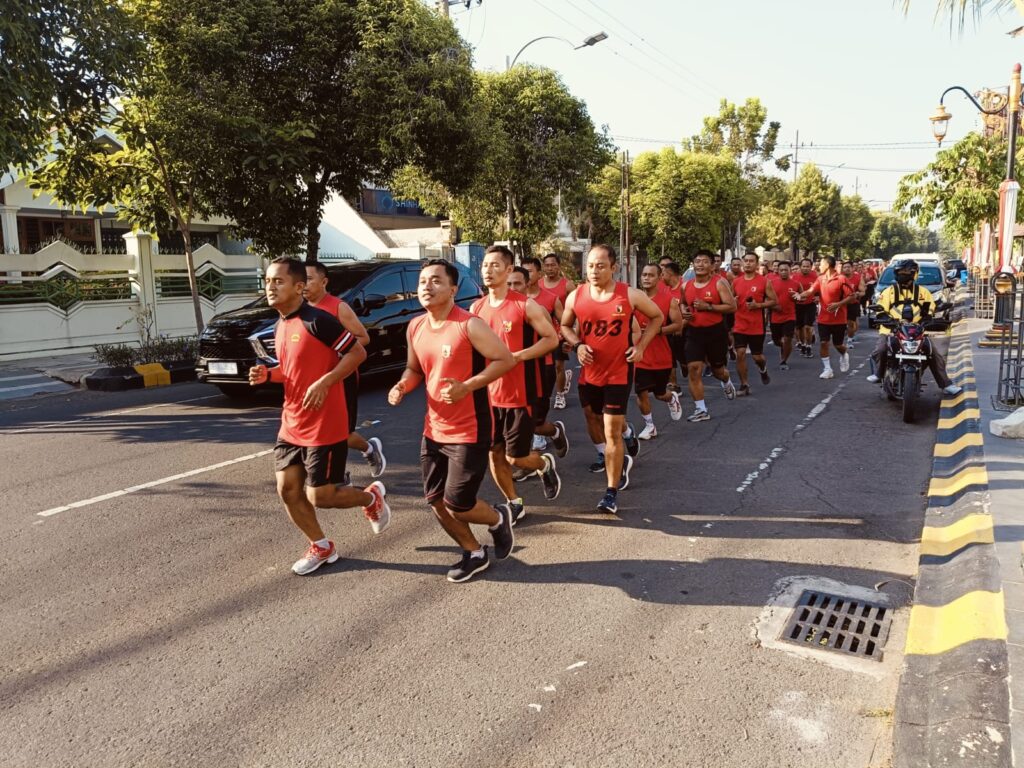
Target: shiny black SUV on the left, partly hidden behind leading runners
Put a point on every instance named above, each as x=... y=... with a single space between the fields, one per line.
x=382 y=294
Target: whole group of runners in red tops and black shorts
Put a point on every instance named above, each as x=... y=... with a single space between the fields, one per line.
x=493 y=375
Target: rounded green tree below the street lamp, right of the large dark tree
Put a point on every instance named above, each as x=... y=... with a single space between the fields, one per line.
x=538 y=141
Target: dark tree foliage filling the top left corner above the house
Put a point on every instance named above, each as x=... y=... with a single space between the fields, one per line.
x=62 y=62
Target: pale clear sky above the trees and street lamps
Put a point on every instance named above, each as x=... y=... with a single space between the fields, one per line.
x=841 y=73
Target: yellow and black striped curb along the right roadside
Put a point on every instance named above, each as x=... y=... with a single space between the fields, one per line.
x=954 y=702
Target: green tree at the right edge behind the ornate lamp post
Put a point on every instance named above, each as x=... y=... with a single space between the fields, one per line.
x=961 y=188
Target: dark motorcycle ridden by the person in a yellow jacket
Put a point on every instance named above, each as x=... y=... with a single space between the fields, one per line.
x=909 y=353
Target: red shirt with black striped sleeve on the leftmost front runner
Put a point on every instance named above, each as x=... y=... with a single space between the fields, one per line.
x=309 y=344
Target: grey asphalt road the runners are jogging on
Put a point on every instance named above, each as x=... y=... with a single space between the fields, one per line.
x=163 y=627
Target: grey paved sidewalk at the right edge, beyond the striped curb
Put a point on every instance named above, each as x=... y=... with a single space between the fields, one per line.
x=1005 y=463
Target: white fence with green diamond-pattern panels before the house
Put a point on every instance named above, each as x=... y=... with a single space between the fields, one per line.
x=60 y=301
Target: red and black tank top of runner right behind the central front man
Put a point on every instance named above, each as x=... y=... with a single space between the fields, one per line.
x=522 y=386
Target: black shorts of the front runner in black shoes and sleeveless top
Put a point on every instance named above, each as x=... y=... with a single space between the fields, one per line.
x=453 y=473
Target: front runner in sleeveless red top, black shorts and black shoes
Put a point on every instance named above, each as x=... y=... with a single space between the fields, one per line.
x=450 y=350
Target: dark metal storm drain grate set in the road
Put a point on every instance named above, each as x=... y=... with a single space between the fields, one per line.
x=840 y=624
